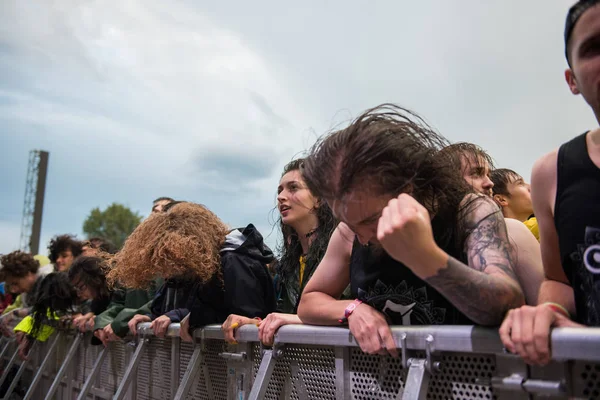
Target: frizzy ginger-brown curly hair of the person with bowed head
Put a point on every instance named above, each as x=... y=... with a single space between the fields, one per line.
x=184 y=241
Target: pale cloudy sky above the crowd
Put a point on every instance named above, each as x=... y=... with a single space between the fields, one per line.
x=206 y=101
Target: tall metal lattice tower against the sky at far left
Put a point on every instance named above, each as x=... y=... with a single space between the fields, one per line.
x=33 y=206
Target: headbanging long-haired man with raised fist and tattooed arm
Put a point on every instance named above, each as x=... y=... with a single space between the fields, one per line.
x=415 y=244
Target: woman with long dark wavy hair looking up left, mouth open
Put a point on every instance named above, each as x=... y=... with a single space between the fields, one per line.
x=306 y=225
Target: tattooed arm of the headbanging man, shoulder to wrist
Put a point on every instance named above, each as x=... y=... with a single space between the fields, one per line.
x=486 y=288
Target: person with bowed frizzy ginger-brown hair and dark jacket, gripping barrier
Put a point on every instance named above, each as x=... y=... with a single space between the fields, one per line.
x=209 y=271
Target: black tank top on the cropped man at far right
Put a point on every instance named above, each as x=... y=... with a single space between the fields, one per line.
x=577 y=221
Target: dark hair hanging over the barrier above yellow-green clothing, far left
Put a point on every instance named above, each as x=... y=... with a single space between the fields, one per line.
x=54 y=296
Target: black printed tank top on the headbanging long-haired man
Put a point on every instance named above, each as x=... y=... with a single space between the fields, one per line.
x=392 y=288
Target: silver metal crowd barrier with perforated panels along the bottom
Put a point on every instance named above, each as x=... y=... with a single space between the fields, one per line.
x=306 y=362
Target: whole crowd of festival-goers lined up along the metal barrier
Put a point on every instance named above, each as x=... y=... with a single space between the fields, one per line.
x=384 y=222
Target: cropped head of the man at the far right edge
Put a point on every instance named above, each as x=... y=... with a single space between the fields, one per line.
x=584 y=76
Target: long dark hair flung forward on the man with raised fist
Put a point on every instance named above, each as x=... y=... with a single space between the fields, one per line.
x=390 y=150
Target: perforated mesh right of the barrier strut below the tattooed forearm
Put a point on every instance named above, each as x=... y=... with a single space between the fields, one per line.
x=460 y=377
